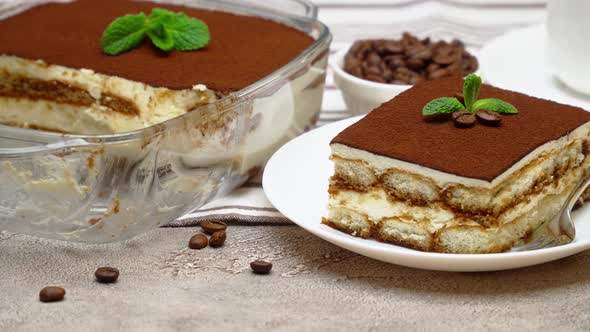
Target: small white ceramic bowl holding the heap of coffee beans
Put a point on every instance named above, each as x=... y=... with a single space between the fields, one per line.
x=361 y=96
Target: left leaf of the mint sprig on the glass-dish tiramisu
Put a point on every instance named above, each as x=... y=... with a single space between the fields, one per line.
x=124 y=34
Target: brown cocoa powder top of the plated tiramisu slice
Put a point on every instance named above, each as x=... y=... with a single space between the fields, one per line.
x=397 y=130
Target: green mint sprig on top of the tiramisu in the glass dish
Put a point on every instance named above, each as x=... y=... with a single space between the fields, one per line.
x=167 y=31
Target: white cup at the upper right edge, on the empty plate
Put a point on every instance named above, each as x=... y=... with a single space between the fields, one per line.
x=568 y=27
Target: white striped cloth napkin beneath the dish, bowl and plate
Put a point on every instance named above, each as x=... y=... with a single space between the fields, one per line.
x=473 y=21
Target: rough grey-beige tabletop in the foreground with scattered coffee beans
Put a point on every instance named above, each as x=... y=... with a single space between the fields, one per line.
x=313 y=286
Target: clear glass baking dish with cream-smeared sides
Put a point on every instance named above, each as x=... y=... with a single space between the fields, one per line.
x=104 y=188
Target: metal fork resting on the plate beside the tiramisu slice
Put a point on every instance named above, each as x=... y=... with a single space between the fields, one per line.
x=561 y=228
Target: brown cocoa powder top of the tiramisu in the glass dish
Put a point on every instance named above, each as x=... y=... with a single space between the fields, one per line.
x=243 y=49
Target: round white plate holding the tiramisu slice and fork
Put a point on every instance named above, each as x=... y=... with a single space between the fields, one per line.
x=296 y=182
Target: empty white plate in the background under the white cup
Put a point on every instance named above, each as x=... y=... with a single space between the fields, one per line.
x=518 y=61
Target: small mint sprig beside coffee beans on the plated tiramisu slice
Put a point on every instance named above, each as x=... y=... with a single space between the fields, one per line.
x=471 y=89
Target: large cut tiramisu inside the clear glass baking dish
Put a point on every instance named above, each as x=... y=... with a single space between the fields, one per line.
x=54 y=75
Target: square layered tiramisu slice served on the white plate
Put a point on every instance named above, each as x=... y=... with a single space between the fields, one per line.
x=433 y=186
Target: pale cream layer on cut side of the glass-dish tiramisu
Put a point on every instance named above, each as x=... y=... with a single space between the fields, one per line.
x=154 y=104
